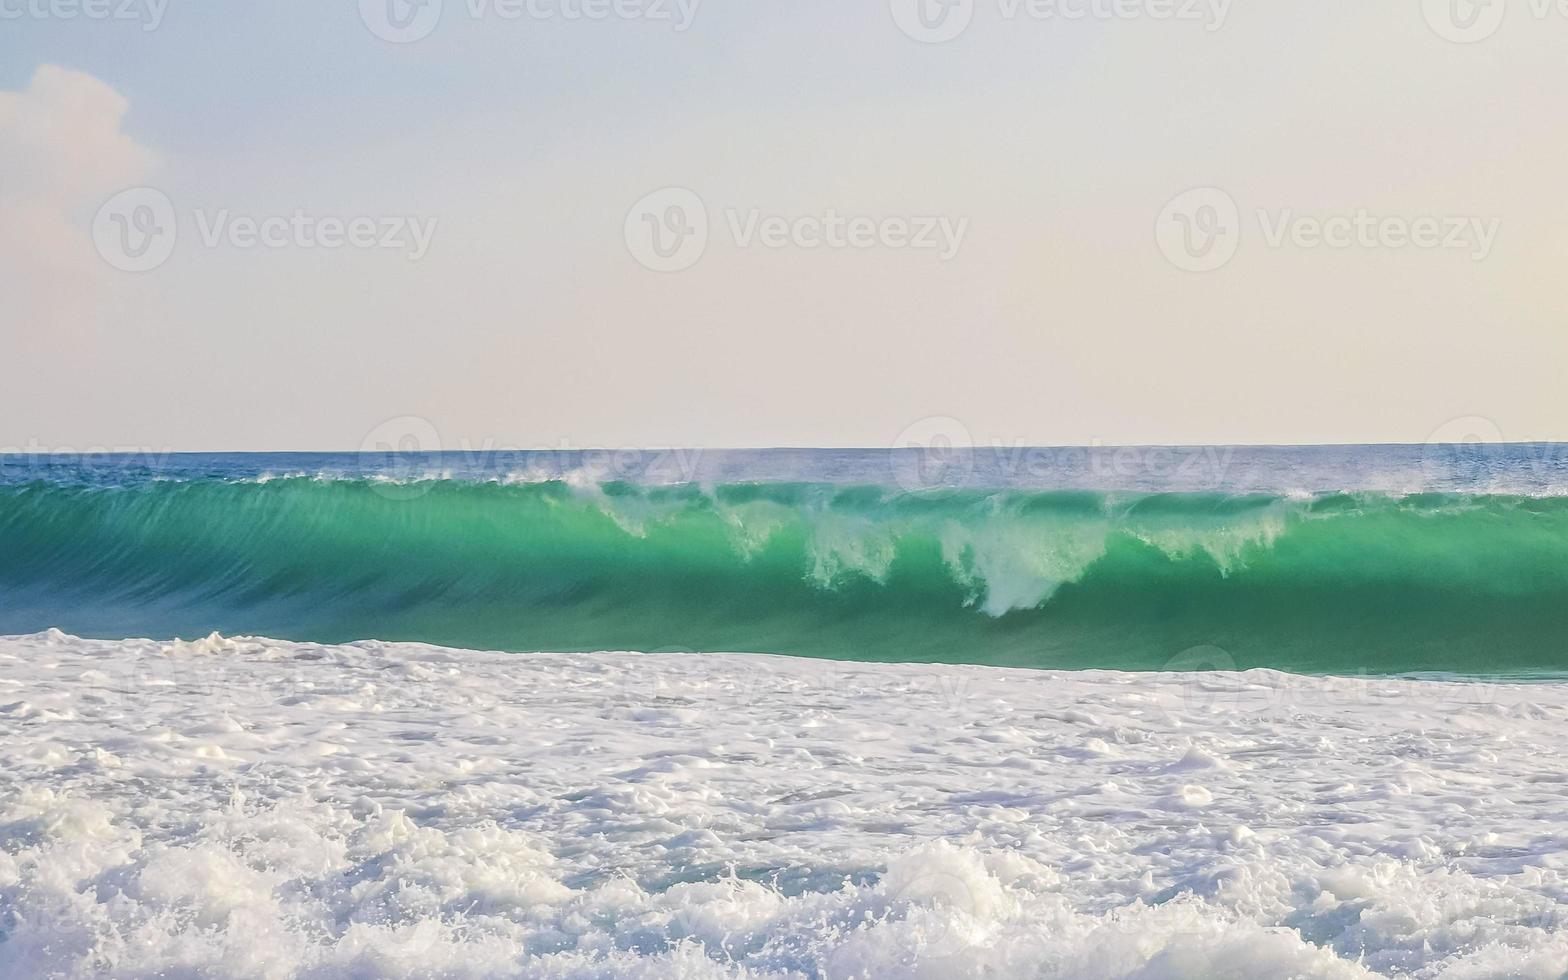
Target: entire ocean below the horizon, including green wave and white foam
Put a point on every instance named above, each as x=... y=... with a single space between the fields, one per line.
x=1108 y=714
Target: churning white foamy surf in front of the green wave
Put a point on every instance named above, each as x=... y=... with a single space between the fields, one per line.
x=255 y=808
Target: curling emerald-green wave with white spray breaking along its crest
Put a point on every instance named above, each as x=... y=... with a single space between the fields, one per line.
x=1340 y=584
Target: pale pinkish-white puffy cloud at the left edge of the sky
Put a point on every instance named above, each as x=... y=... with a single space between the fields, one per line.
x=62 y=154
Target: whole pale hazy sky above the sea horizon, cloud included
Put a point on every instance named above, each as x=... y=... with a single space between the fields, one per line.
x=330 y=225
